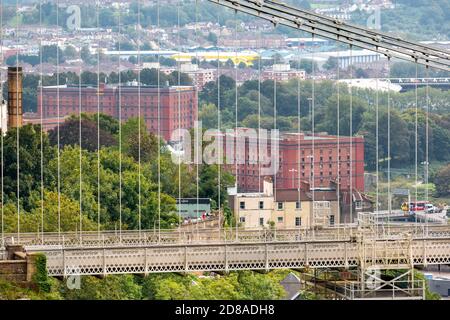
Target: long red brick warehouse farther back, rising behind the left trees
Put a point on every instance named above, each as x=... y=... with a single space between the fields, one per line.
x=178 y=104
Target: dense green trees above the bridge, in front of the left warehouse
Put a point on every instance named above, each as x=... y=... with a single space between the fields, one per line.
x=108 y=185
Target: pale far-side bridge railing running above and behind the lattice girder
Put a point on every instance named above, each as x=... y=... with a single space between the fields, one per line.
x=224 y=235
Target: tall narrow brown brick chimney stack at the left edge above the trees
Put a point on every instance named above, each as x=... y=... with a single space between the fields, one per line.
x=15 y=97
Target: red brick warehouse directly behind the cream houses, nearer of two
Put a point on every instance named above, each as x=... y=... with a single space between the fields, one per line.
x=298 y=159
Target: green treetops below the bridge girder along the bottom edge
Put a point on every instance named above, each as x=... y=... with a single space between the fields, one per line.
x=243 y=285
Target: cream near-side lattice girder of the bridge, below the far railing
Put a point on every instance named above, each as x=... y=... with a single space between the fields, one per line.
x=245 y=256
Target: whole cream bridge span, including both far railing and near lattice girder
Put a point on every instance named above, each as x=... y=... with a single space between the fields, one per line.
x=92 y=253
